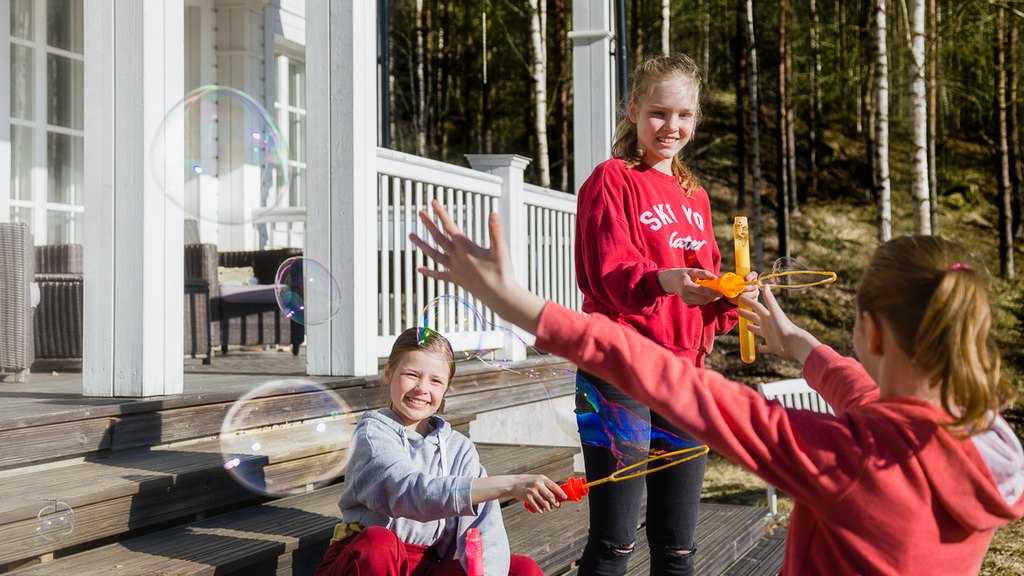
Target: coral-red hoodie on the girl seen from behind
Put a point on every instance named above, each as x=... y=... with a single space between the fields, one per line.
x=880 y=488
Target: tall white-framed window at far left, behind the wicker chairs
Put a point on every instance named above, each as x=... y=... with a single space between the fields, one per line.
x=47 y=118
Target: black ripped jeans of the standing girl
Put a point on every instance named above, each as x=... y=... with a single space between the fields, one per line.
x=673 y=501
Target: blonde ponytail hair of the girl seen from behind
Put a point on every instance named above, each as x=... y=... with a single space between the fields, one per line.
x=936 y=300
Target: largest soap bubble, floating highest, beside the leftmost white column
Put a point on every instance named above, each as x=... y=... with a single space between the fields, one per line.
x=224 y=133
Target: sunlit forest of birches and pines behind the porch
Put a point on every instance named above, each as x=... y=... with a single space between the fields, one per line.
x=832 y=125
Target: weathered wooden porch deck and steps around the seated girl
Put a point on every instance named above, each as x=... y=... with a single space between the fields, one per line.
x=147 y=482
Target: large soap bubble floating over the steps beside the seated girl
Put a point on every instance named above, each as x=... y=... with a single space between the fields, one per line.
x=287 y=437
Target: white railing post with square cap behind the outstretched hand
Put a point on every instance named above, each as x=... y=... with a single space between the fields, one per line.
x=510 y=169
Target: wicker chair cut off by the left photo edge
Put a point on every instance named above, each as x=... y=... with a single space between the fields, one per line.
x=16 y=301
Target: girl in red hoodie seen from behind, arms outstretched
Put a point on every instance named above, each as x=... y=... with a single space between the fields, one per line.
x=915 y=472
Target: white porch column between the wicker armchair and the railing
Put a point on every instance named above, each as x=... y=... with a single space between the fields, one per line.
x=342 y=214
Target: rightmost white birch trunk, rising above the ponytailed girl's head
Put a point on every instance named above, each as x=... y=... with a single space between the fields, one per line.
x=919 y=180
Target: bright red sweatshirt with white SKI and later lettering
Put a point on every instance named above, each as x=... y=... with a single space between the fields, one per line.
x=632 y=224
